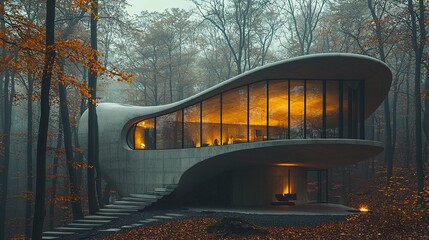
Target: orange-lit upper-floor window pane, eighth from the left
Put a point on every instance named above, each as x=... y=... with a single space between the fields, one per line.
x=297 y=95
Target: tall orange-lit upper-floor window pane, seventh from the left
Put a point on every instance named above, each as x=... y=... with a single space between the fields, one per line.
x=278 y=109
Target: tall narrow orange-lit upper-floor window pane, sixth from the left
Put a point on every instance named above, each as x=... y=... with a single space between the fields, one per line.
x=258 y=112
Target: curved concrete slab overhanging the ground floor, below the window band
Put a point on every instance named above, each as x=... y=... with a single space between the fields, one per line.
x=301 y=153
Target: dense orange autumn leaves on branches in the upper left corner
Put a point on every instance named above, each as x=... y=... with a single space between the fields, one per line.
x=24 y=41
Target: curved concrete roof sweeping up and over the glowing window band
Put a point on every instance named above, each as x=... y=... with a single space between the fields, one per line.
x=339 y=66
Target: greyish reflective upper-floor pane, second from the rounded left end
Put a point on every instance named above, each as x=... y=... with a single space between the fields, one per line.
x=169 y=131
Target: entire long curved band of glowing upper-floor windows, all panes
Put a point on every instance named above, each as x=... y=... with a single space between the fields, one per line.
x=265 y=110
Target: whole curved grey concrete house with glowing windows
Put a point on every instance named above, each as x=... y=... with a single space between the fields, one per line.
x=250 y=137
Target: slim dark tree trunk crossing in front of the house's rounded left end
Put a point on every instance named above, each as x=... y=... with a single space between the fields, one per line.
x=92 y=119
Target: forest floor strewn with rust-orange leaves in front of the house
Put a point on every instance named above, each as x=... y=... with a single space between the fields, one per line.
x=394 y=214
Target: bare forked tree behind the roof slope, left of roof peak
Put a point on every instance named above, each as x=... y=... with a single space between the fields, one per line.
x=237 y=21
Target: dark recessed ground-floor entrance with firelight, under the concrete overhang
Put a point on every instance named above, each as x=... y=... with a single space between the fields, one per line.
x=258 y=186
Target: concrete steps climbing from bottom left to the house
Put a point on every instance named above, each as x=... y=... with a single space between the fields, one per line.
x=120 y=208
